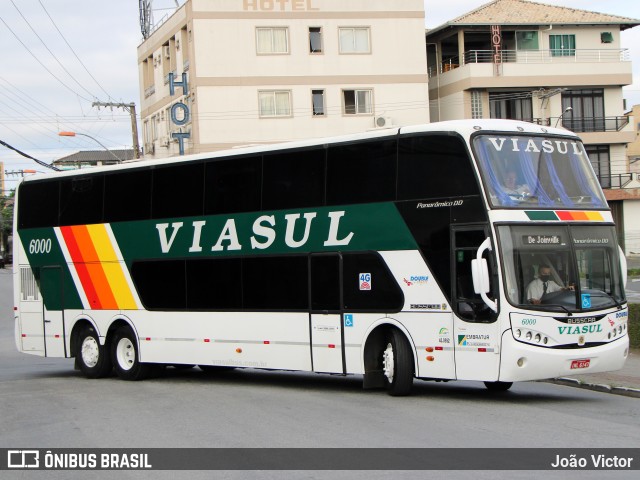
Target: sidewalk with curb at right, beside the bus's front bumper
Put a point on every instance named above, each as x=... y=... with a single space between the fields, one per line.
x=621 y=382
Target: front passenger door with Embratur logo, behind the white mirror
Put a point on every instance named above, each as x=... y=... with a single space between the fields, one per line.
x=476 y=330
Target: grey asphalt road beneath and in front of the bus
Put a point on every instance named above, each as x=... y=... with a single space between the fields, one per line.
x=44 y=403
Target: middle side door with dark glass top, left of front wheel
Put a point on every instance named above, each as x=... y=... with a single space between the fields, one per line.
x=325 y=323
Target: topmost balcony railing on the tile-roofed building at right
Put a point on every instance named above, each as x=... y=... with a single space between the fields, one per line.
x=535 y=57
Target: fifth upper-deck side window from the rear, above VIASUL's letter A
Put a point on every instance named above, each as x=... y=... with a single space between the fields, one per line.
x=233 y=186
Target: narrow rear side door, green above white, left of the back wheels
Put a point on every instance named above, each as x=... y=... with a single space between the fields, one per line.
x=53 y=311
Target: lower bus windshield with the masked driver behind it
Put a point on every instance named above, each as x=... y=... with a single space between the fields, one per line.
x=561 y=267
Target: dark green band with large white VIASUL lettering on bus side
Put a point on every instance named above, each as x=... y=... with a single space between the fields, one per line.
x=355 y=228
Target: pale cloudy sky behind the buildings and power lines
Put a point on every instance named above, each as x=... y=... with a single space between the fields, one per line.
x=60 y=56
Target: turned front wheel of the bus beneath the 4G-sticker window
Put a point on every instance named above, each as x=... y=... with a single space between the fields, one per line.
x=397 y=364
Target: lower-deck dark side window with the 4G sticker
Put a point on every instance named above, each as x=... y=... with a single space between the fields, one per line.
x=381 y=291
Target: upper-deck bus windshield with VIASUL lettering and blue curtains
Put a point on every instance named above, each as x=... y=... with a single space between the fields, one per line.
x=524 y=171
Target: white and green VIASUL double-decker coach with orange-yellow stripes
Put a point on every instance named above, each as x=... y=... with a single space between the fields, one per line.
x=472 y=250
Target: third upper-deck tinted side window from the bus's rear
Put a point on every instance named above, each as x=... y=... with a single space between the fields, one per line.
x=127 y=196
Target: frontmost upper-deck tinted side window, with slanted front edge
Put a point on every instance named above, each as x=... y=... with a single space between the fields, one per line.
x=434 y=166
